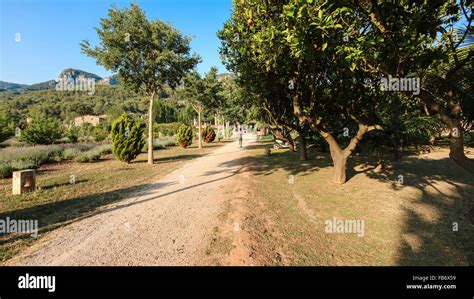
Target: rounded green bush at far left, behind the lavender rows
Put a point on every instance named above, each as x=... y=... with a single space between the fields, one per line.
x=42 y=130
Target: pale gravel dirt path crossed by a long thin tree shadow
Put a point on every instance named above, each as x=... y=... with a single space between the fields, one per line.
x=169 y=223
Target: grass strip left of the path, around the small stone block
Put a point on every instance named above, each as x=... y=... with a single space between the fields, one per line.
x=58 y=202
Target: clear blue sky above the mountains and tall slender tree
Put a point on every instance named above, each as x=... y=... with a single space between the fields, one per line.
x=40 y=38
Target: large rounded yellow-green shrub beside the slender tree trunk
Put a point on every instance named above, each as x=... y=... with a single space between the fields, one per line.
x=127 y=138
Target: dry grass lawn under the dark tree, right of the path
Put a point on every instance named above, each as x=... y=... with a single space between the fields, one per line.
x=410 y=211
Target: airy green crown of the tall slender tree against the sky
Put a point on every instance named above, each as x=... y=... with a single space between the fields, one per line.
x=136 y=47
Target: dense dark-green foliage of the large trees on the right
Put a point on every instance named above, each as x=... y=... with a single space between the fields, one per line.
x=319 y=63
